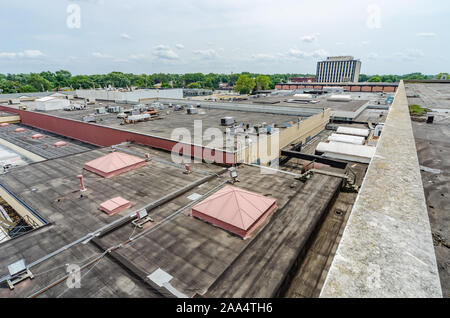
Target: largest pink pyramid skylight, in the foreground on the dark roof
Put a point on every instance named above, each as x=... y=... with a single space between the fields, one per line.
x=235 y=210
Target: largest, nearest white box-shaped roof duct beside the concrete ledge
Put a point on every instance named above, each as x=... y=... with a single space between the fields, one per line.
x=344 y=151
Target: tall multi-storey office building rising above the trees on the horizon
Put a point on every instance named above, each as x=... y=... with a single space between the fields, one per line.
x=338 y=69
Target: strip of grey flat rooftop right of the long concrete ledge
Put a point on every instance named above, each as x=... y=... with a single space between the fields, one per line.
x=433 y=151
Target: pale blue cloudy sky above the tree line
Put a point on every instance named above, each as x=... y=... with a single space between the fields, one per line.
x=180 y=36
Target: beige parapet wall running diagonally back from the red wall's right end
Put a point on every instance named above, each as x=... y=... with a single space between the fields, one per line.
x=299 y=131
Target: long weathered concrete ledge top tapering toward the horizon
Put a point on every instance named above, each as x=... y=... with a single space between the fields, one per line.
x=387 y=249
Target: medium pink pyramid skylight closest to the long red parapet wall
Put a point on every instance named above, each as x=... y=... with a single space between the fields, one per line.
x=114 y=164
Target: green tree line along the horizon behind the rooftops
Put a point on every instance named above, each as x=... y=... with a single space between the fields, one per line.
x=243 y=82
